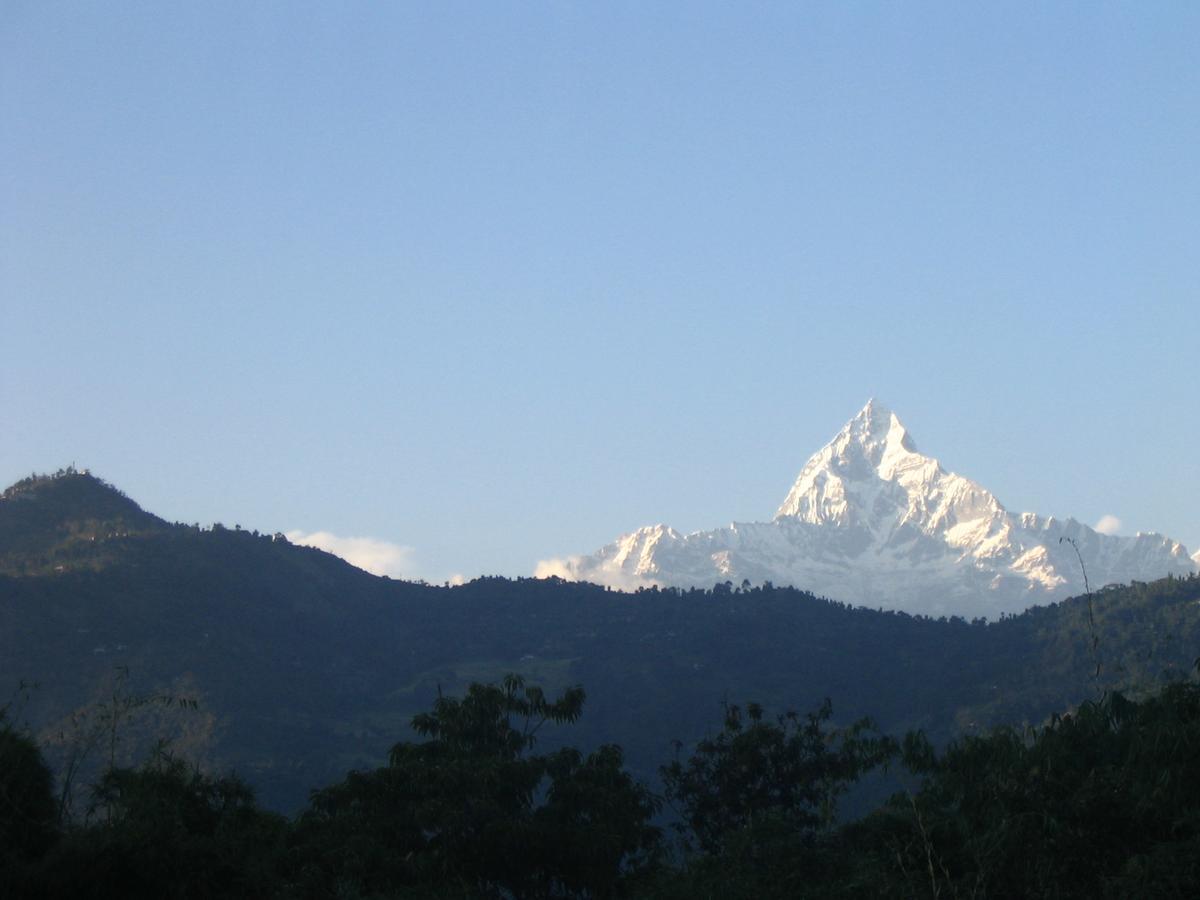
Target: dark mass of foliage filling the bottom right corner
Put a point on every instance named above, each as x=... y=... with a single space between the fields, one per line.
x=1101 y=802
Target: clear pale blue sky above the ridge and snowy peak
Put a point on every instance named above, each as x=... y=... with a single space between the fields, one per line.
x=496 y=283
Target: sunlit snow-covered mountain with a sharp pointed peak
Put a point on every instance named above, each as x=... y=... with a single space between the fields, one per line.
x=872 y=521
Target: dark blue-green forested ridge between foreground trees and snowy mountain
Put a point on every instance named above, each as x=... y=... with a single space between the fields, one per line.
x=305 y=668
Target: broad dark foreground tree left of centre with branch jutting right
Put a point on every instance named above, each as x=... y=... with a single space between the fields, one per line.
x=473 y=812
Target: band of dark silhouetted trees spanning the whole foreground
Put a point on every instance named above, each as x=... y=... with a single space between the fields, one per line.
x=1103 y=802
